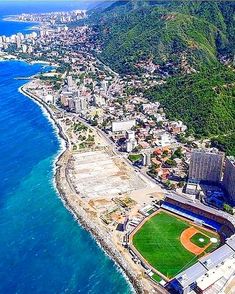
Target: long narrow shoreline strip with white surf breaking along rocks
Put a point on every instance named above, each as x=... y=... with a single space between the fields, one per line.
x=78 y=212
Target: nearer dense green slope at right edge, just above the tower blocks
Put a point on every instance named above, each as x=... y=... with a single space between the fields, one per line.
x=205 y=101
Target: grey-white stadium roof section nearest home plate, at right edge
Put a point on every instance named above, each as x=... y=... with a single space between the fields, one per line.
x=216 y=257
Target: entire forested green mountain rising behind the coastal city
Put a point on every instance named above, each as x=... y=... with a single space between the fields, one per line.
x=194 y=33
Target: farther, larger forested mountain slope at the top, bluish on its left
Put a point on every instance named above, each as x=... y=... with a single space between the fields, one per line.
x=132 y=31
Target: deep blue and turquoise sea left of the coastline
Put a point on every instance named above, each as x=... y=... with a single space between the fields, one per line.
x=43 y=249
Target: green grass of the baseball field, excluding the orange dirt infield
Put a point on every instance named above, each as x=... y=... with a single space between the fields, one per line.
x=158 y=241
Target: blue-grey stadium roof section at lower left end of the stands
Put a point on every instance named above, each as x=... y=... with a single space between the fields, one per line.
x=190 y=275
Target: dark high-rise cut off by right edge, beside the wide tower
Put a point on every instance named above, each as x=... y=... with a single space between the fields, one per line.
x=229 y=178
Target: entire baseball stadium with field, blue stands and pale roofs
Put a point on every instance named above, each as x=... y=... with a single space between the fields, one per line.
x=186 y=246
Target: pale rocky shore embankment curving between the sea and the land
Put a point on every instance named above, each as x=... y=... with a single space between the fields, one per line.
x=74 y=204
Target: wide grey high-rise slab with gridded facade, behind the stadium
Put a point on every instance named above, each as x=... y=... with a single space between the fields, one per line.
x=206 y=166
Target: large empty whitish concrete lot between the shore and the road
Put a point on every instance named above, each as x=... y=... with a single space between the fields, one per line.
x=96 y=174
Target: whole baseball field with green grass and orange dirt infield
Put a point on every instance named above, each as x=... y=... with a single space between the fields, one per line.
x=171 y=244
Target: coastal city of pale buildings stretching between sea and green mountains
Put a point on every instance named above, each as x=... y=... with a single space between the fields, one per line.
x=125 y=161
